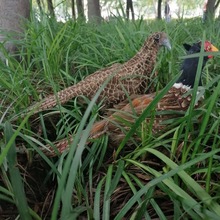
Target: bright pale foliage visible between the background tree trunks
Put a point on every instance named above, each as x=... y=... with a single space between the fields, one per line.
x=142 y=8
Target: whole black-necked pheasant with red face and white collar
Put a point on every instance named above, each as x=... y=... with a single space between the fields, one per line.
x=176 y=99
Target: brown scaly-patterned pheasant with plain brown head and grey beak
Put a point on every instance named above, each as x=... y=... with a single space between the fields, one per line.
x=132 y=77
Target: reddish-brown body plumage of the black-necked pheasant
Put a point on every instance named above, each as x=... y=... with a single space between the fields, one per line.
x=176 y=99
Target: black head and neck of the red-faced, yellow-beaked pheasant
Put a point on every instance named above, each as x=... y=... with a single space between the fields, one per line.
x=190 y=65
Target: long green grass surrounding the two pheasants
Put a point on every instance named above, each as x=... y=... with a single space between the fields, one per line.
x=172 y=174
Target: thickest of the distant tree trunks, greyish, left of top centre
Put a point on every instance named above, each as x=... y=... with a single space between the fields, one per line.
x=94 y=13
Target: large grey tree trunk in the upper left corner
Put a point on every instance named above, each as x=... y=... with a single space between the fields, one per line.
x=11 y=21
